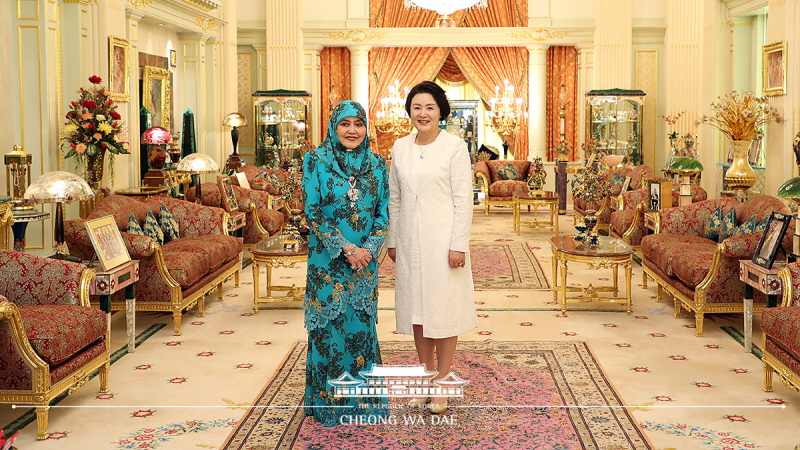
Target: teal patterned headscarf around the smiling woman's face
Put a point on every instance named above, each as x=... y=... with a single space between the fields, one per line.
x=350 y=162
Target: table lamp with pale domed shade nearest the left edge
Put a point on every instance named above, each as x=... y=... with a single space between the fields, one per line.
x=59 y=188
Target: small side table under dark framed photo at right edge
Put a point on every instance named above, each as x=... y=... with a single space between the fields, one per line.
x=766 y=281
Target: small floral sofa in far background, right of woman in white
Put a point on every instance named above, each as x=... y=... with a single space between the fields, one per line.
x=502 y=180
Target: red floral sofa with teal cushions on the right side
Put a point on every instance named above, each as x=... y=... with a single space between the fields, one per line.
x=702 y=274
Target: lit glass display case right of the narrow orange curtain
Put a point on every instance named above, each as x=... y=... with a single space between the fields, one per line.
x=614 y=120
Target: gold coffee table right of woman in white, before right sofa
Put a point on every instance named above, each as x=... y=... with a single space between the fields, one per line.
x=610 y=253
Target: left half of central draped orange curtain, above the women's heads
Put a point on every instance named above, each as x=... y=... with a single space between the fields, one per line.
x=408 y=65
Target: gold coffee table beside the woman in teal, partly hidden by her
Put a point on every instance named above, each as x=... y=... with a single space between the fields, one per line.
x=270 y=252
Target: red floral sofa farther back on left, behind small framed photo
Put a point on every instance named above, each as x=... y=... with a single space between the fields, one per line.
x=261 y=220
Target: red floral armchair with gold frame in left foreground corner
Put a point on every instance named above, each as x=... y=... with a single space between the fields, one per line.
x=51 y=340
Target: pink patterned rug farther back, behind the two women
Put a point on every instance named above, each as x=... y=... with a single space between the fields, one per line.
x=495 y=265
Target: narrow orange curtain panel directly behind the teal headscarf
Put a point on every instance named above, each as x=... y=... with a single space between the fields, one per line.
x=335 y=71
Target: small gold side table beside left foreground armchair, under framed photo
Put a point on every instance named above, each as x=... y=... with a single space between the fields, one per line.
x=107 y=283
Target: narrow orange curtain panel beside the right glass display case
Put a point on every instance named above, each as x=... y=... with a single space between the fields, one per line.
x=562 y=77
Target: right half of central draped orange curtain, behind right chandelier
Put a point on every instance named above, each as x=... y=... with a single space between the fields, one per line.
x=487 y=67
